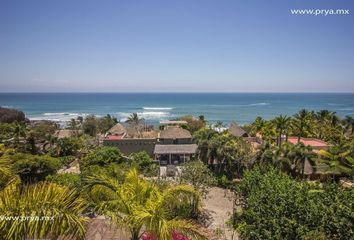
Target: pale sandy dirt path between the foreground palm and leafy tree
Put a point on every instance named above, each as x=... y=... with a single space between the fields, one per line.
x=218 y=209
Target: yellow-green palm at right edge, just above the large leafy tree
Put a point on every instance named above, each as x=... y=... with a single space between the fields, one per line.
x=336 y=160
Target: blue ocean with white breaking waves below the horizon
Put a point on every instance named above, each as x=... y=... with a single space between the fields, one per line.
x=153 y=107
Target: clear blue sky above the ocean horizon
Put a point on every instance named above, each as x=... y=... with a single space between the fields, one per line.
x=175 y=45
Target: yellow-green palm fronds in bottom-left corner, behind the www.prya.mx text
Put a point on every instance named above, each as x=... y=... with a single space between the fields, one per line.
x=43 y=210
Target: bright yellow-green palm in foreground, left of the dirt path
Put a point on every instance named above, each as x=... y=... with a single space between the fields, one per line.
x=138 y=204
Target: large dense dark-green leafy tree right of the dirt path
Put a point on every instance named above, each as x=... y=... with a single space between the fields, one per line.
x=275 y=206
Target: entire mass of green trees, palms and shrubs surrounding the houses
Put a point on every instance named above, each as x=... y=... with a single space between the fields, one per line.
x=276 y=200
